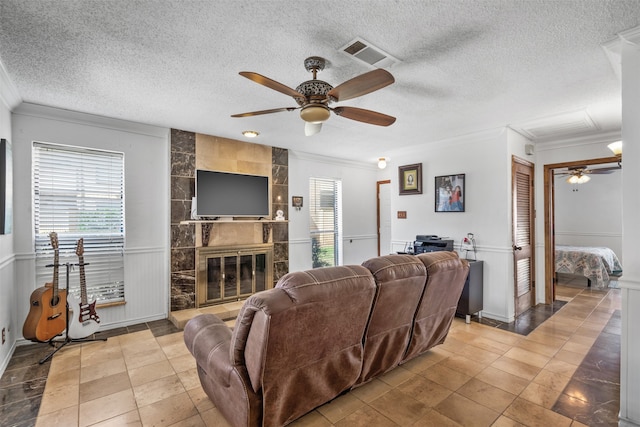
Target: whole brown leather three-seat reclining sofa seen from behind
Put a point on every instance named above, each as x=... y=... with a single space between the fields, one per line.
x=321 y=332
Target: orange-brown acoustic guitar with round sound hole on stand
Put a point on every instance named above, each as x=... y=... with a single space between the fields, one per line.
x=47 y=316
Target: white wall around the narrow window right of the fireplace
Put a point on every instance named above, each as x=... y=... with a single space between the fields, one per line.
x=360 y=239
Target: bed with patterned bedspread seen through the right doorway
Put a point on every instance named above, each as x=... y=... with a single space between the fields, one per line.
x=597 y=264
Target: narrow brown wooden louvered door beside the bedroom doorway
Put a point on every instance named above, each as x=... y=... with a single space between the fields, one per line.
x=523 y=234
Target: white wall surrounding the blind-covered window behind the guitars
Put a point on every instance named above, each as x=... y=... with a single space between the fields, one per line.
x=146 y=154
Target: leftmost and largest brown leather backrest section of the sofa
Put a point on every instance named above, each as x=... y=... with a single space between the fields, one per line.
x=303 y=339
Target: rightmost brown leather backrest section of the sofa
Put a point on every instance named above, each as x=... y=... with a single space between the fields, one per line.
x=446 y=274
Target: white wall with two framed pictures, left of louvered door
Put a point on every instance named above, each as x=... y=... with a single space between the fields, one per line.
x=485 y=159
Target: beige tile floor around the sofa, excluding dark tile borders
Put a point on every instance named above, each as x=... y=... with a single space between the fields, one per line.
x=481 y=376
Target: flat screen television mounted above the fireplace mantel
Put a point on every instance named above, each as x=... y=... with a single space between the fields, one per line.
x=225 y=194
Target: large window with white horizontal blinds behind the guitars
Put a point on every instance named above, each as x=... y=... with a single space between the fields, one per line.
x=78 y=193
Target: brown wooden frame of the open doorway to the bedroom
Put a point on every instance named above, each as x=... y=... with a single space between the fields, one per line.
x=549 y=224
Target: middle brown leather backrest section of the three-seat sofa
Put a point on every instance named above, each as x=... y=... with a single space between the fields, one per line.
x=400 y=281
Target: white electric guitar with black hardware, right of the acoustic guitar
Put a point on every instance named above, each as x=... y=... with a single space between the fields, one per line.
x=83 y=320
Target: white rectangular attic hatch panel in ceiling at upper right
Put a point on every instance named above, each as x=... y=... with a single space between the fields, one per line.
x=574 y=123
